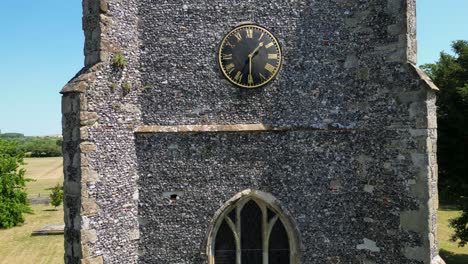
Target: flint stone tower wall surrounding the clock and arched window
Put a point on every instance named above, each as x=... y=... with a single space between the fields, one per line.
x=345 y=137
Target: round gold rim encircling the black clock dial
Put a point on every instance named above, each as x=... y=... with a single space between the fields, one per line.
x=275 y=41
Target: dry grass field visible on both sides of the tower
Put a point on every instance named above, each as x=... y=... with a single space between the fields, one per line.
x=18 y=246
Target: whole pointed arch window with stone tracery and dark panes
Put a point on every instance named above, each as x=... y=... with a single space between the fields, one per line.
x=251 y=228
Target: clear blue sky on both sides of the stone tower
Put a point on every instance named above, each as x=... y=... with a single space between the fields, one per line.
x=41 y=48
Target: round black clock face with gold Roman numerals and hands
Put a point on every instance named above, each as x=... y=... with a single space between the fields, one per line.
x=250 y=56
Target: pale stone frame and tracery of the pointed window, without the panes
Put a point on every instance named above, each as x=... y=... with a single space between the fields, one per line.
x=264 y=201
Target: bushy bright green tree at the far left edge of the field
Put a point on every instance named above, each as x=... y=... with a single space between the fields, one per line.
x=13 y=198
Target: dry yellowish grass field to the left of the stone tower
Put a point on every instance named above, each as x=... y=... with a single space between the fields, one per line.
x=17 y=244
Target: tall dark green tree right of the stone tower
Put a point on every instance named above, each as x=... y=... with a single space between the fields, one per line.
x=450 y=74
